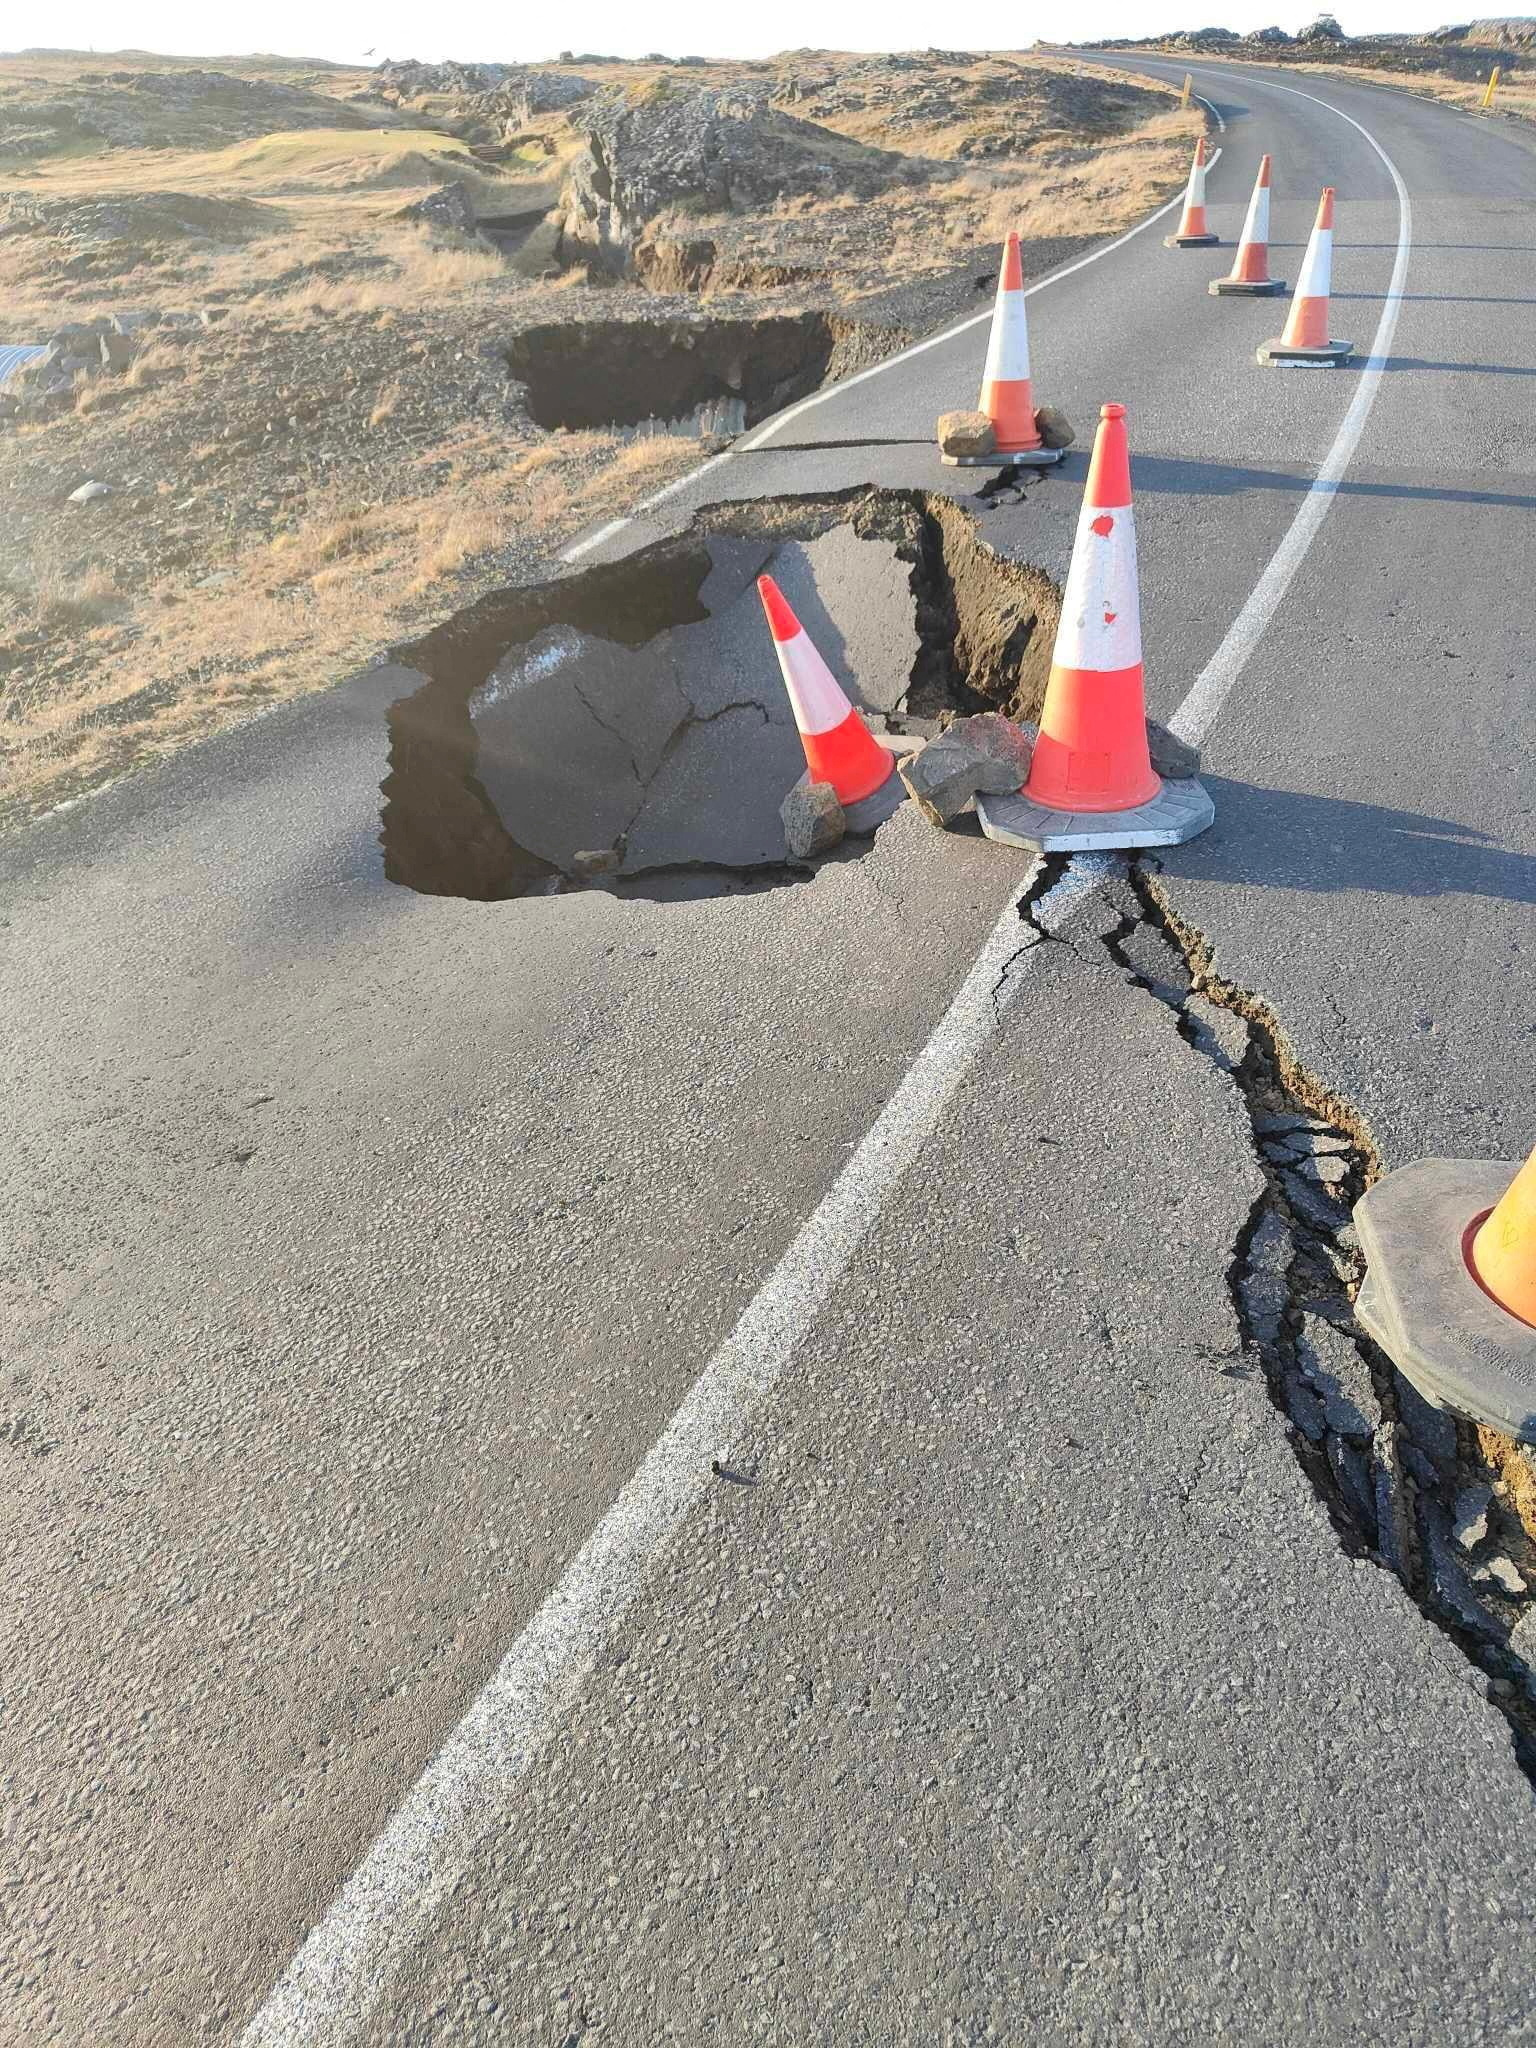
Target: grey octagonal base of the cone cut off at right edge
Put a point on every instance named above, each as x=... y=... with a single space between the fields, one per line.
x=1424 y=1308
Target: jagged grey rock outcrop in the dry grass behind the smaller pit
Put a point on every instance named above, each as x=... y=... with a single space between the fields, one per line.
x=675 y=146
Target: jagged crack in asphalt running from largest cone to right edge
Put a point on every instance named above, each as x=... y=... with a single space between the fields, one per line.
x=1449 y=1508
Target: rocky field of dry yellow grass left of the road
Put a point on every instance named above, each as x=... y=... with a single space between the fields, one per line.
x=323 y=372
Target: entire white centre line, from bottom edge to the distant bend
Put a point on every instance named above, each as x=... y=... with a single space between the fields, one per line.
x=329 y=1990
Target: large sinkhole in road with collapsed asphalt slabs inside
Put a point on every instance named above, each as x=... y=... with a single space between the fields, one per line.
x=628 y=728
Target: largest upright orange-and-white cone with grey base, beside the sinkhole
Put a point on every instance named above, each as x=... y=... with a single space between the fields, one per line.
x=1093 y=783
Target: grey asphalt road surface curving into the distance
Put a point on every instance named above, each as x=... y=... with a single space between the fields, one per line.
x=1009 y=1680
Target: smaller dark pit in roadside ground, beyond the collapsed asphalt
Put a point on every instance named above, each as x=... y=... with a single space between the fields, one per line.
x=718 y=376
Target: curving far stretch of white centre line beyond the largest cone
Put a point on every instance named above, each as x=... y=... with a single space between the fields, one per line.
x=1209 y=693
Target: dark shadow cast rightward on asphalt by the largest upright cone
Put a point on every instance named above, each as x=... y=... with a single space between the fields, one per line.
x=1283 y=839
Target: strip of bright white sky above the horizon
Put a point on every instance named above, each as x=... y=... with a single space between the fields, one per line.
x=353 y=32
